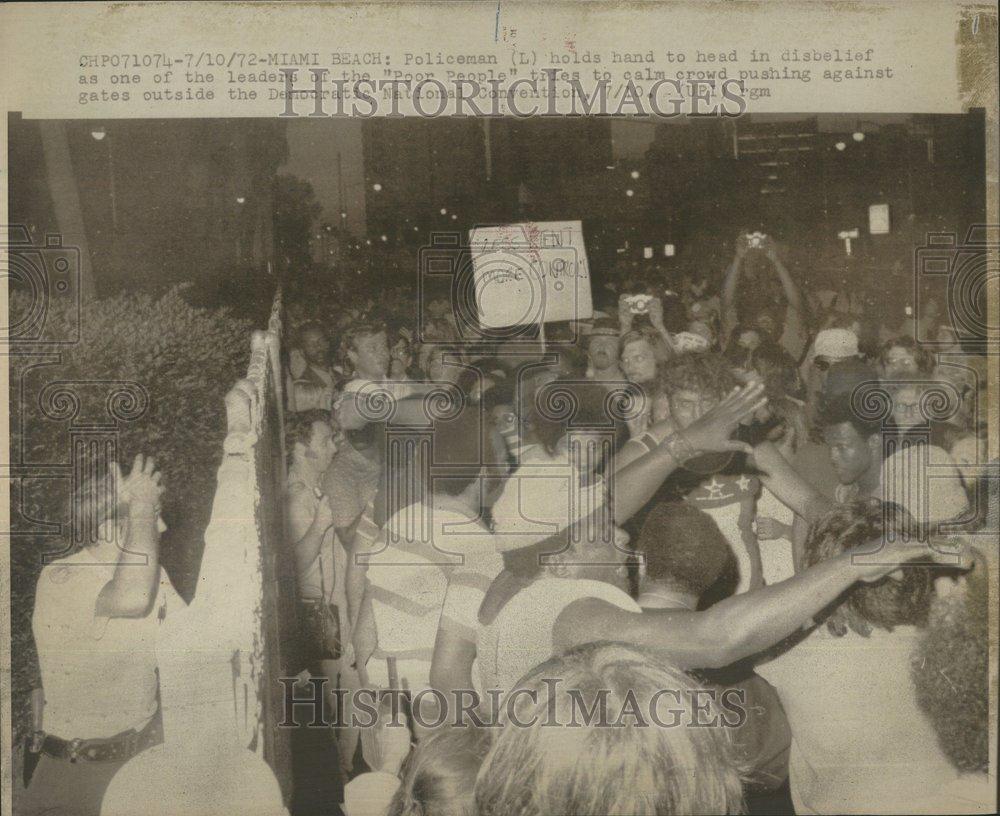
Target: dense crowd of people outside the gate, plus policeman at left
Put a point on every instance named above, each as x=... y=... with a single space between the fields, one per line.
x=706 y=550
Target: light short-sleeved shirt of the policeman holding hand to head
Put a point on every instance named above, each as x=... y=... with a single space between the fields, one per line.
x=98 y=674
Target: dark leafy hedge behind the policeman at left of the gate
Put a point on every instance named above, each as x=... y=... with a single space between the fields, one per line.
x=185 y=358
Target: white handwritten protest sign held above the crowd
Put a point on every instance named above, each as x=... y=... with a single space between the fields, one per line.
x=529 y=273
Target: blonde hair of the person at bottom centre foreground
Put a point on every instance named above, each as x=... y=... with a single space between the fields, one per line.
x=628 y=768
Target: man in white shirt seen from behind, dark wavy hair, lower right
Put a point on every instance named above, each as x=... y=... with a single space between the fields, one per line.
x=860 y=742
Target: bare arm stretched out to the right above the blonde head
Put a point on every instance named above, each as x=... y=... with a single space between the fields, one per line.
x=739 y=626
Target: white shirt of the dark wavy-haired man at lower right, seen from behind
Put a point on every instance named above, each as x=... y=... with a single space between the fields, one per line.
x=860 y=743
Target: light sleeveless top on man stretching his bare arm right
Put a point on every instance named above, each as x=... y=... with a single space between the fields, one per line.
x=520 y=637
